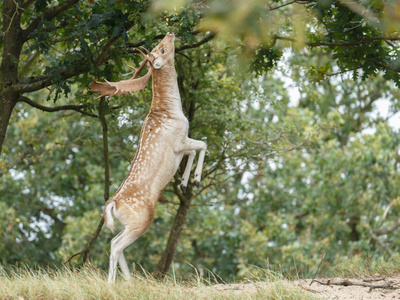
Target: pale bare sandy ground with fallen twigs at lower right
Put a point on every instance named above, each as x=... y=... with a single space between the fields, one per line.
x=334 y=291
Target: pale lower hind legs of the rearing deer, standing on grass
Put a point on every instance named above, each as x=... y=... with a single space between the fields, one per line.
x=118 y=244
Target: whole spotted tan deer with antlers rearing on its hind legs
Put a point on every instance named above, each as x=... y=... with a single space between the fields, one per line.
x=163 y=142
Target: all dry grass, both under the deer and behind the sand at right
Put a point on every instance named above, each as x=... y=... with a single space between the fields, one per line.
x=91 y=283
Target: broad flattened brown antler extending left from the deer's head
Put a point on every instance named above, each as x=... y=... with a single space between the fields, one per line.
x=121 y=87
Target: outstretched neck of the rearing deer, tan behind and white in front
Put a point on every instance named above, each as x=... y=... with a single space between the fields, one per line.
x=166 y=96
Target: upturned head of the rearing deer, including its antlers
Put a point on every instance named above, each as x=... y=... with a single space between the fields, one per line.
x=161 y=55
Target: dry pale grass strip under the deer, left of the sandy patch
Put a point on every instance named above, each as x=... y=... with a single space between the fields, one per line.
x=89 y=283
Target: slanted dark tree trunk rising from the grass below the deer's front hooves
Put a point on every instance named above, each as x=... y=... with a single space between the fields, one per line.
x=175 y=234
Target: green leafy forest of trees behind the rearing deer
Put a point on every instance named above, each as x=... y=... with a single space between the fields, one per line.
x=296 y=100
